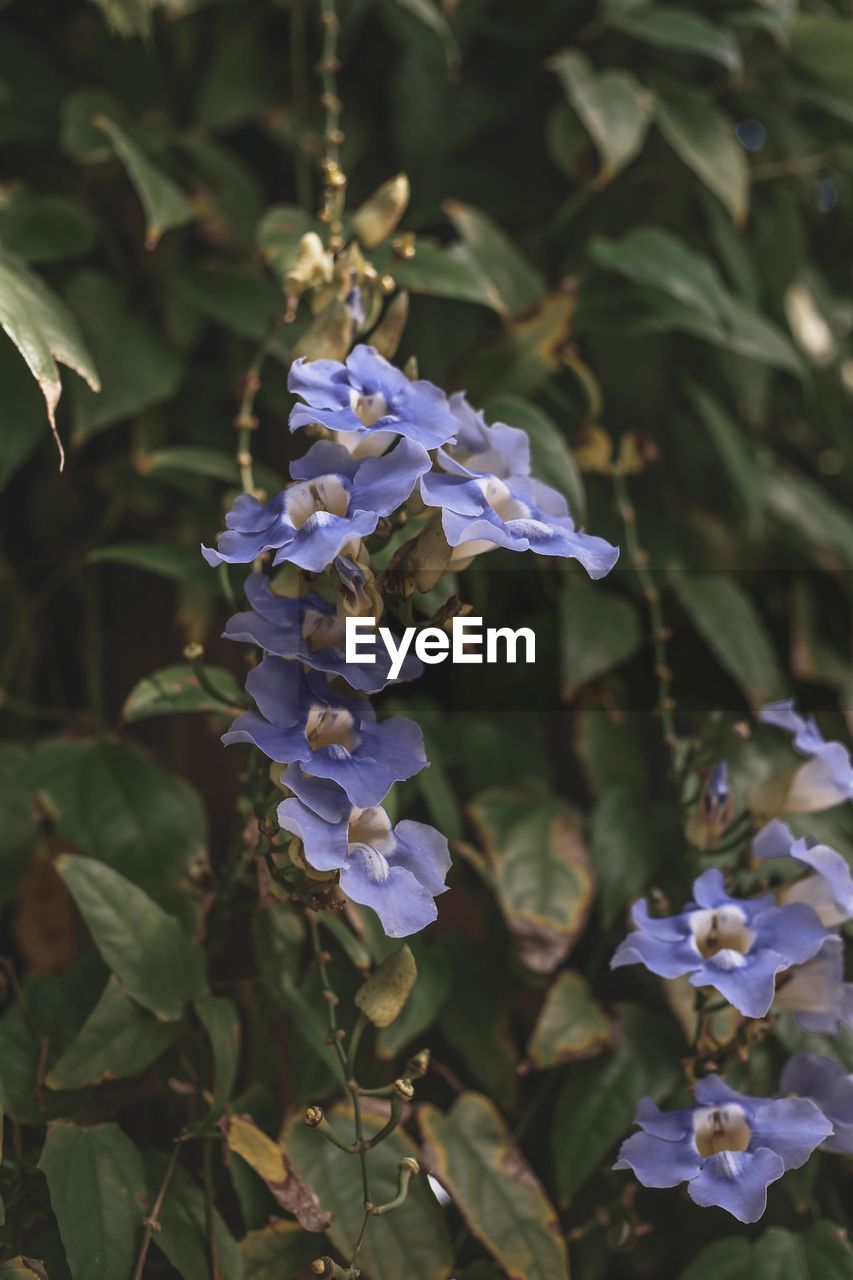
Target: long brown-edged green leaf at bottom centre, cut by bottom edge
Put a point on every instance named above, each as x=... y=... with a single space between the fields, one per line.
x=472 y=1153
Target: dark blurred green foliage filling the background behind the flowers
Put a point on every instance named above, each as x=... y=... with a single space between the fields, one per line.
x=637 y=237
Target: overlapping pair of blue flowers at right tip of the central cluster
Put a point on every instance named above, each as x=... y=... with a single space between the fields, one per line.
x=489 y=499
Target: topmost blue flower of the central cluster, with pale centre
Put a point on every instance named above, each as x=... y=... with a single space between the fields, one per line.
x=370 y=401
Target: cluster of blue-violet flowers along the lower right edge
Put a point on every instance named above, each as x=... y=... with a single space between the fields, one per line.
x=778 y=952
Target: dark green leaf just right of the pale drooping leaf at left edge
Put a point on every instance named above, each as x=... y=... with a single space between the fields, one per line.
x=140 y=371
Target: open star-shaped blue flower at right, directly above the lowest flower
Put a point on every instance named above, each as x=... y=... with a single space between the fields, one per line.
x=735 y=945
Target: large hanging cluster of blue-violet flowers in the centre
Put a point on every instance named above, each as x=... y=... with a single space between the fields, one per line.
x=387 y=444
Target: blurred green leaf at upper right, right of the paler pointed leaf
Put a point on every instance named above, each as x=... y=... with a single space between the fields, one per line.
x=706 y=143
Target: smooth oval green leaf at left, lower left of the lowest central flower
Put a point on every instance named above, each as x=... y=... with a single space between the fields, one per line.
x=144 y=947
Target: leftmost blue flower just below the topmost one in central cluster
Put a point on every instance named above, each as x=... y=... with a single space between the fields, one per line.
x=336 y=502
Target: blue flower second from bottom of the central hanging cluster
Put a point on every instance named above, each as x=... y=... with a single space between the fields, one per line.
x=304 y=720
